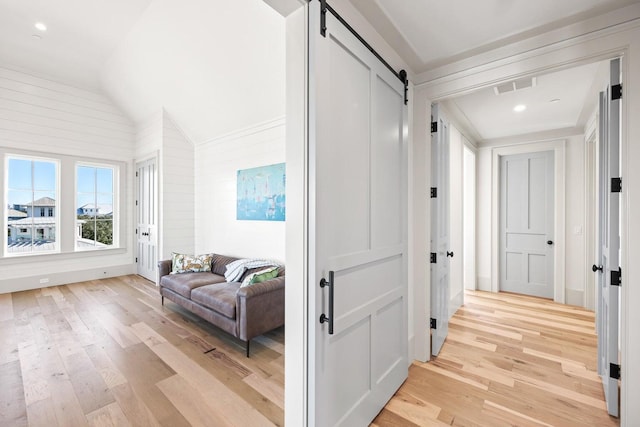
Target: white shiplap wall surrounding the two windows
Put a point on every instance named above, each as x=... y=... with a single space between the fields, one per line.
x=40 y=115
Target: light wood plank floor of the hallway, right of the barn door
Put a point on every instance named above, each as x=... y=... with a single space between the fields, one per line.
x=509 y=360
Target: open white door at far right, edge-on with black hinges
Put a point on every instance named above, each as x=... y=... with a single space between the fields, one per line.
x=609 y=241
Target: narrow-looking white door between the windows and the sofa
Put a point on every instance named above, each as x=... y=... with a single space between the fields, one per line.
x=147 y=213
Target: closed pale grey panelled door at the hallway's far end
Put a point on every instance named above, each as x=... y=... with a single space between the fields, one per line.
x=526 y=224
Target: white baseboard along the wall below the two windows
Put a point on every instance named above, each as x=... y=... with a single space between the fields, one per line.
x=64 y=278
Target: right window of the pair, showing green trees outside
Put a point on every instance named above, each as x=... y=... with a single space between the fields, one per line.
x=95 y=206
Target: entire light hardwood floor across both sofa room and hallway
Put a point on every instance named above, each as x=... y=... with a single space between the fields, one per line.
x=107 y=353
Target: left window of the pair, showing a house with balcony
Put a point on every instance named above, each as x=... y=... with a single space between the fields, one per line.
x=31 y=187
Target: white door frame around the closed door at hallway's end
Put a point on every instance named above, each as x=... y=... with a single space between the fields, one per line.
x=558 y=148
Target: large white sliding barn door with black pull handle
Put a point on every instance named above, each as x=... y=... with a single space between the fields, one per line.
x=357 y=228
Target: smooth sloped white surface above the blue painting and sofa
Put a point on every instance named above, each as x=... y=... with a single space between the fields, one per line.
x=214 y=65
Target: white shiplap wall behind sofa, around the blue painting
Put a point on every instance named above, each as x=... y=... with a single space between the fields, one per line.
x=217 y=163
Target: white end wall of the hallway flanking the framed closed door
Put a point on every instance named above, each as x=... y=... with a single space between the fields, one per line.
x=574 y=219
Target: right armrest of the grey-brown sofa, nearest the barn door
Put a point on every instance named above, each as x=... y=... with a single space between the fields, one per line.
x=260 y=308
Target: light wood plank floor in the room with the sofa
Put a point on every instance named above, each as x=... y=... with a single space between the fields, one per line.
x=107 y=353
